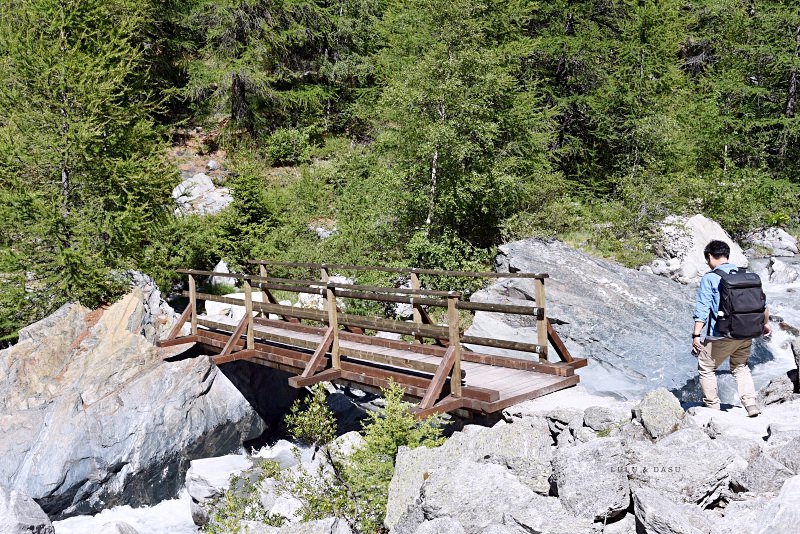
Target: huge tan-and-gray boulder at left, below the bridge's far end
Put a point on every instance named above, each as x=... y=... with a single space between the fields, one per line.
x=92 y=417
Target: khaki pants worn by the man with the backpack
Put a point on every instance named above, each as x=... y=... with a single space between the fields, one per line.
x=712 y=356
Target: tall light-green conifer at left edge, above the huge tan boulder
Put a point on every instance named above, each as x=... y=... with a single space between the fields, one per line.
x=83 y=176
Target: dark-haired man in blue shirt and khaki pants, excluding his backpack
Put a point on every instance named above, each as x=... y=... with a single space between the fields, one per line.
x=714 y=349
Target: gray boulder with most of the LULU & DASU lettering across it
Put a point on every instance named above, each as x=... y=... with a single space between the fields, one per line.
x=674 y=467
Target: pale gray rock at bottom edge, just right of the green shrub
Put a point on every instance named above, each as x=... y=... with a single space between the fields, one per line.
x=463 y=491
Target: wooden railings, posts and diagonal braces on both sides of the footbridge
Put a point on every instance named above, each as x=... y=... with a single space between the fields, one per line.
x=421 y=328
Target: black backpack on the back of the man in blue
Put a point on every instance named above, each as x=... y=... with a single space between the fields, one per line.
x=741 y=305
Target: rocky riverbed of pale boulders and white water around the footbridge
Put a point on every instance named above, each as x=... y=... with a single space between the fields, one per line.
x=93 y=419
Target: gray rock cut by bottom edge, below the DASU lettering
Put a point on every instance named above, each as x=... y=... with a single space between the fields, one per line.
x=658 y=515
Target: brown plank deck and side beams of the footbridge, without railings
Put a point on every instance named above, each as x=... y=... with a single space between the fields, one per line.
x=489 y=384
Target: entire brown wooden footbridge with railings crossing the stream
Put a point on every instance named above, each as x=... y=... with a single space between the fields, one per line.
x=434 y=365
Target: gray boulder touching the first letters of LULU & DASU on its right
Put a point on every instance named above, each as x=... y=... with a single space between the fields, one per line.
x=592 y=479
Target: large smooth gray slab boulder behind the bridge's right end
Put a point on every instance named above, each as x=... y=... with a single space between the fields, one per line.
x=632 y=326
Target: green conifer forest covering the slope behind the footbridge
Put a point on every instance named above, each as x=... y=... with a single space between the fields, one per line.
x=420 y=132
